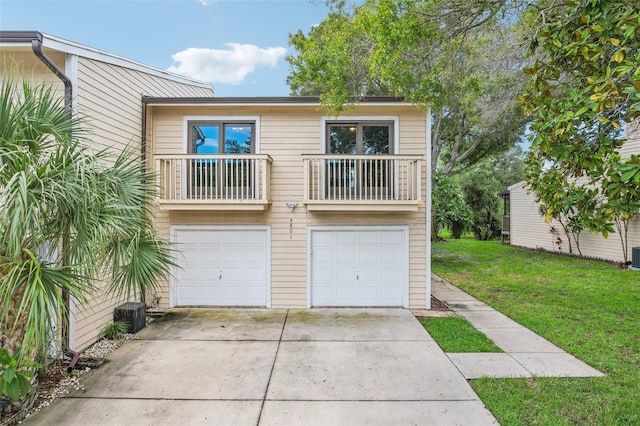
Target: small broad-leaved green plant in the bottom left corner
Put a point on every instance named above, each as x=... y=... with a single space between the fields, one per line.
x=15 y=376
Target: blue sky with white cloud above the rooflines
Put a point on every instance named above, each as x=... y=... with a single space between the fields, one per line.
x=237 y=45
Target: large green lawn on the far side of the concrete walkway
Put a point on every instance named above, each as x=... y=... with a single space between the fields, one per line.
x=588 y=308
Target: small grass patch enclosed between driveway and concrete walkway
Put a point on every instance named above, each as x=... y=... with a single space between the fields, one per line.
x=454 y=334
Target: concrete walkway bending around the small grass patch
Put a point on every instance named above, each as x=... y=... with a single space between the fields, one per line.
x=526 y=354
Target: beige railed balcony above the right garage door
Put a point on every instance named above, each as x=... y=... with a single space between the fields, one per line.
x=362 y=182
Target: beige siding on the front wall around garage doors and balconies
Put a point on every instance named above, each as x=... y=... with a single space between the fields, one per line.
x=285 y=134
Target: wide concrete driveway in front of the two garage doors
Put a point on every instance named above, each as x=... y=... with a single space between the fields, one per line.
x=275 y=367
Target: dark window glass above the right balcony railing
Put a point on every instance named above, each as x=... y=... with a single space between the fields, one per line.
x=369 y=137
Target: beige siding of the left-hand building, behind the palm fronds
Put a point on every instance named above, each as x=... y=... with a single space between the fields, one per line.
x=109 y=98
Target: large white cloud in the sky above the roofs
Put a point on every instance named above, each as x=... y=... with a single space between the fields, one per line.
x=229 y=66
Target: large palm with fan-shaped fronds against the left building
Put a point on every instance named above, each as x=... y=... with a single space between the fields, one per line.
x=69 y=216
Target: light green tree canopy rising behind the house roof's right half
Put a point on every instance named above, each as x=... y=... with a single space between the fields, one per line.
x=458 y=58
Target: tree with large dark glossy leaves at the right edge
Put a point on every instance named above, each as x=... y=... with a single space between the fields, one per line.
x=585 y=91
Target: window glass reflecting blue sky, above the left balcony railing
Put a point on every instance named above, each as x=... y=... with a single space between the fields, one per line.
x=217 y=137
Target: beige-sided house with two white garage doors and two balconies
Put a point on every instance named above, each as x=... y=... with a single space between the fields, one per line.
x=272 y=202
